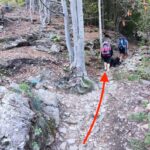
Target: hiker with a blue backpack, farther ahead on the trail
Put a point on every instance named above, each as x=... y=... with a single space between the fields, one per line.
x=123 y=48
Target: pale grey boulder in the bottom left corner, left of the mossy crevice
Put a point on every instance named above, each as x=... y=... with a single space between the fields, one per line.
x=15 y=121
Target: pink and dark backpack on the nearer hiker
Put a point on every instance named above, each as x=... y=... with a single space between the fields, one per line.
x=106 y=49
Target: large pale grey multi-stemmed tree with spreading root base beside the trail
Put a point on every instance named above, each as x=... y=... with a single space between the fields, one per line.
x=76 y=52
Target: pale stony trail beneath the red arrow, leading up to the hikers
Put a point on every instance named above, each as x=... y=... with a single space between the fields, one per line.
x=113 y=129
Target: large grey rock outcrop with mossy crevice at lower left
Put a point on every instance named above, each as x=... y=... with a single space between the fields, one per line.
x=21 y=126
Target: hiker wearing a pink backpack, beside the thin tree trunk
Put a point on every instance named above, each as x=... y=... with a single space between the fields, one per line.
x=106 y=54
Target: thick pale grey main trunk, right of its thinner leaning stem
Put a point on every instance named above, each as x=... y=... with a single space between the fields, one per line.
x=78 y=34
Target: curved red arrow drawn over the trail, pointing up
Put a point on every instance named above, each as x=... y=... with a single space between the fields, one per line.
x=103 y=79
